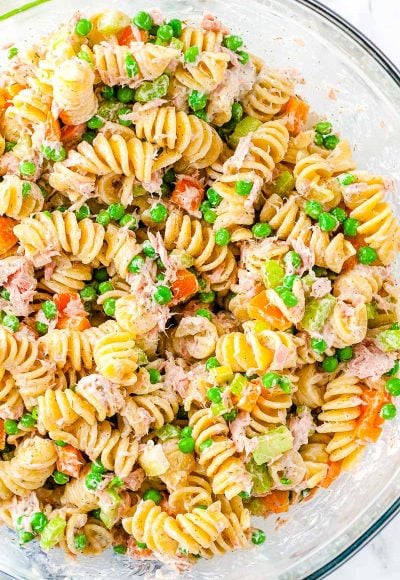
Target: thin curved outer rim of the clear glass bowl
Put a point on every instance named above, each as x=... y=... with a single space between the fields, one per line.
x=394 y=72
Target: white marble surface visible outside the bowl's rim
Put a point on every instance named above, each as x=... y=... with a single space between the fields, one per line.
x=379 y=20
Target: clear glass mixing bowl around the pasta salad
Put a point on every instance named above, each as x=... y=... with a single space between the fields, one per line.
x=351 y=82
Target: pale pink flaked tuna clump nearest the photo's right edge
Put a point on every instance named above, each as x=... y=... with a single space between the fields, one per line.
x=369 y=361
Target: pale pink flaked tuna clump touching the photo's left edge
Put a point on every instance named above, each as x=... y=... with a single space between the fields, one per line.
x=17 y=276
